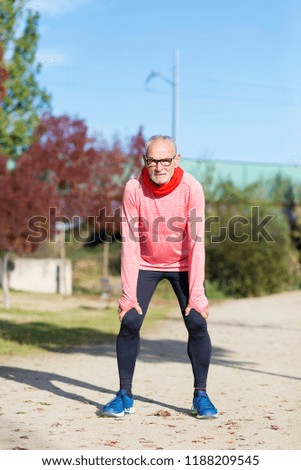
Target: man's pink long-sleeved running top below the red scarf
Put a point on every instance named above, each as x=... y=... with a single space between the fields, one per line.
x=163 y=233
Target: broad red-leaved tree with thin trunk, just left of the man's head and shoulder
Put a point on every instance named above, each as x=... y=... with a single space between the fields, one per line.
x=87 y=176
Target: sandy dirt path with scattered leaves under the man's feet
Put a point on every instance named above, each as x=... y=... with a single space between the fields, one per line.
x=52 y=400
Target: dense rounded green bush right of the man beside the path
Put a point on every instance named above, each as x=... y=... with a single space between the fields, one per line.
x=249 y=250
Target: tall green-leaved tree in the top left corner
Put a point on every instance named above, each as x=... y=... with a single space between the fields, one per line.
x=24 y=100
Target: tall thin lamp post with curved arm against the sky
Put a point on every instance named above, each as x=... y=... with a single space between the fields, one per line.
x=175 y=90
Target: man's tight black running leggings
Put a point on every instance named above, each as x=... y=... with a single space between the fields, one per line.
x=128 y=340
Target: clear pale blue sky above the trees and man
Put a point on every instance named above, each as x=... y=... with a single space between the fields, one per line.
x=239 y=71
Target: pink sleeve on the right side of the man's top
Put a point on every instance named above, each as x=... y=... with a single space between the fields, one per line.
x=196 y=261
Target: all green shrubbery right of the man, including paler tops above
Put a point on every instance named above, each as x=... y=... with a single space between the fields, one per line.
x=252 y=235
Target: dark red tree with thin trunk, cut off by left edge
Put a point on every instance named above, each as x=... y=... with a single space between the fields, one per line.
x=19 y=205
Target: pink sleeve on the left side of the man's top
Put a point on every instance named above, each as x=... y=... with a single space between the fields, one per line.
x=130 y=250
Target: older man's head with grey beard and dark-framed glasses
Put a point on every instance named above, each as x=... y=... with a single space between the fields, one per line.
x=158 y=150
